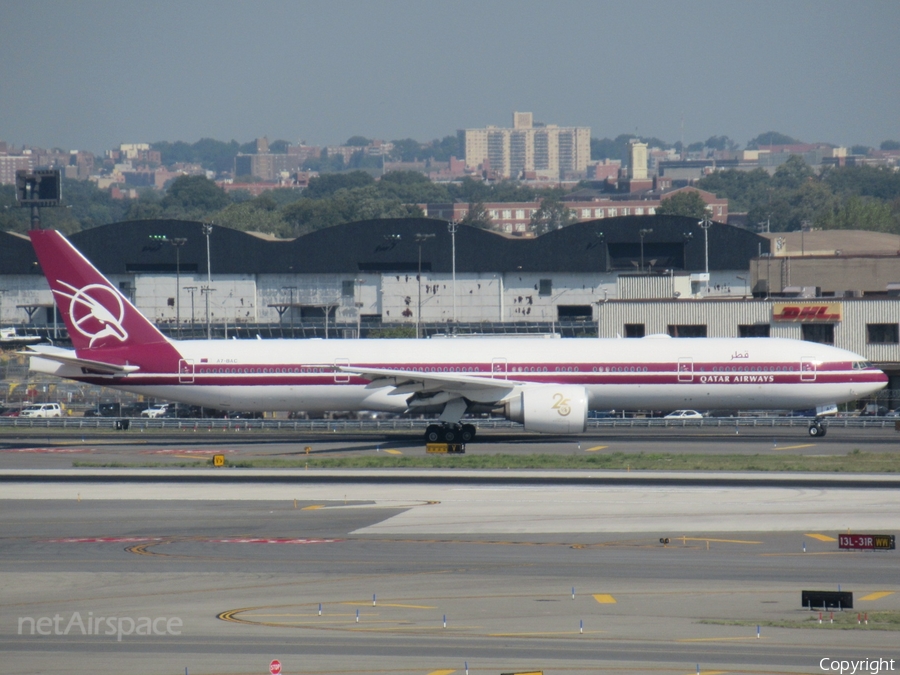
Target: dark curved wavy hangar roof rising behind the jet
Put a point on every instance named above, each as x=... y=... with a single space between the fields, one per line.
x=390 y=245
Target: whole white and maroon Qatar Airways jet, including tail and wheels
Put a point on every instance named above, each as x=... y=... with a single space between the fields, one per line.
x=548 y=385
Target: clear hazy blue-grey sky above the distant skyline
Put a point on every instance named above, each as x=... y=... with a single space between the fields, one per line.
x=90 y=74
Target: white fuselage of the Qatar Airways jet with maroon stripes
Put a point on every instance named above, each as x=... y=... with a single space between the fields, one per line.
x=647 y=373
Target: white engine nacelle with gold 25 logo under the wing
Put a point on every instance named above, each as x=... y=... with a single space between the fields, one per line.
x=550 y=409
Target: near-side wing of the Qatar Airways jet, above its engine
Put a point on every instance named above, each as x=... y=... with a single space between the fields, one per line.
x=483 y=389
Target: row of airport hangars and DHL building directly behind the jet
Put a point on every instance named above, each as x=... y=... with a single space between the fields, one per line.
x=628 y=276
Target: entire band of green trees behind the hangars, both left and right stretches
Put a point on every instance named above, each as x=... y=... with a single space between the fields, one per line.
x=853 y=197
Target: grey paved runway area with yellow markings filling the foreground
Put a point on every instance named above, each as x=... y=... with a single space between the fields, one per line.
x=244 y=567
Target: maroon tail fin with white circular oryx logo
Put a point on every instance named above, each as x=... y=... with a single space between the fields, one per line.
x=101 y=321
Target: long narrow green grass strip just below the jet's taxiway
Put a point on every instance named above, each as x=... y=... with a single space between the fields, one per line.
x=854 y=462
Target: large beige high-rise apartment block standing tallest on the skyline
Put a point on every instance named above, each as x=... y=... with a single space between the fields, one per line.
x=546 y=150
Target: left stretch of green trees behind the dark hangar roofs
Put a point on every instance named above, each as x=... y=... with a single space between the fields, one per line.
x=330 y=199
